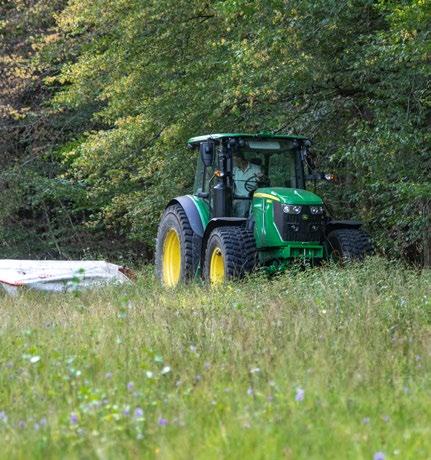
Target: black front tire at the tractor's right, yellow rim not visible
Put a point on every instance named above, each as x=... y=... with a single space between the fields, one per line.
x=348 y=244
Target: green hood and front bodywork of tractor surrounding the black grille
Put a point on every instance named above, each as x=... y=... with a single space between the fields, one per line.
x=268 y=239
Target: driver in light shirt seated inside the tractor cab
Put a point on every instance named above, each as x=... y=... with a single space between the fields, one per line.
x=246 y=177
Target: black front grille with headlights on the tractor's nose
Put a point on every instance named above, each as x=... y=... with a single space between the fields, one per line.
x=305 y=227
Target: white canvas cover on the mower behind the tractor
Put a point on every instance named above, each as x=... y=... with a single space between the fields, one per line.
x=58 y=275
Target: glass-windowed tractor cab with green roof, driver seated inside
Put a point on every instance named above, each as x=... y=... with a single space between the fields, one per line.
x=230 y=168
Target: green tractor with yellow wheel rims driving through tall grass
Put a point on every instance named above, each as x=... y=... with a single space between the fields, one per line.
x=250 y=207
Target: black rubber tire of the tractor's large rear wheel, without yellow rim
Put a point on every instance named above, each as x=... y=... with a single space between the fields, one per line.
x=174 y=218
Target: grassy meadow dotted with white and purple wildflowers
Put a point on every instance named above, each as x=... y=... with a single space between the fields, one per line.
x=323 y=363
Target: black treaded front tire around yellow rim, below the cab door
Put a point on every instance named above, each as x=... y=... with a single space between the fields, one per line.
x=237 y=248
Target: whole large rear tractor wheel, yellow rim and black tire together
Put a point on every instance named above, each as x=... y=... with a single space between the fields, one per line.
x=176 y=257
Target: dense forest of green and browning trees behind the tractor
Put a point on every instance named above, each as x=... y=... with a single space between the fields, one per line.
x=98 y=99
